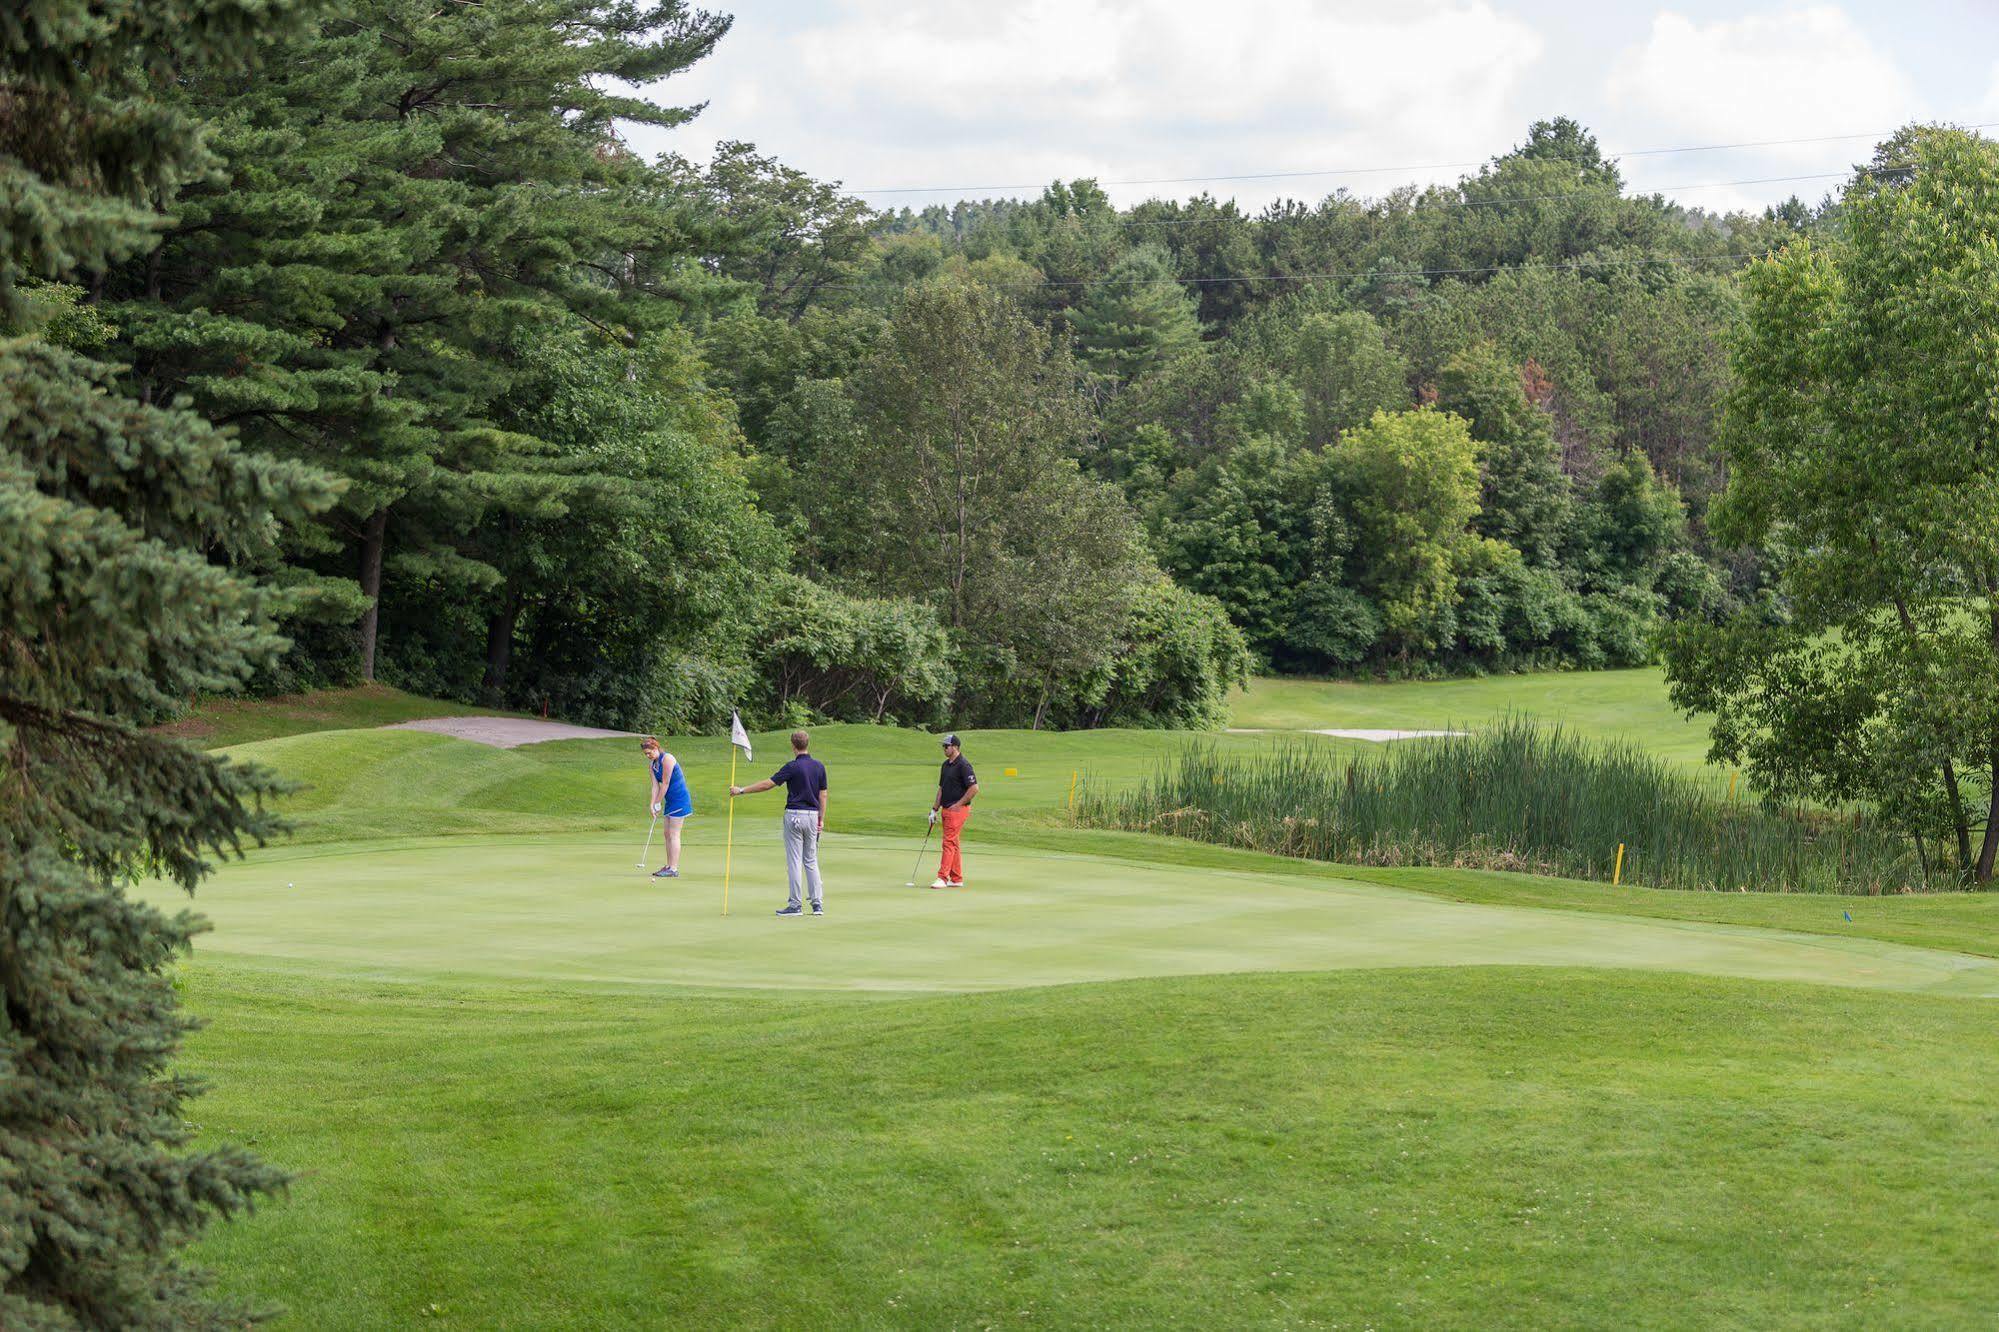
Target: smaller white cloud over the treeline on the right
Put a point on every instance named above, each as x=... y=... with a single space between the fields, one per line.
x=1800 y=73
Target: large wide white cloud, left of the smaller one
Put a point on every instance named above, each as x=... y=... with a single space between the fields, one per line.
x=887 y=93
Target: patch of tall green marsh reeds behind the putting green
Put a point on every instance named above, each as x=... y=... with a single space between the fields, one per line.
x=1512 y=797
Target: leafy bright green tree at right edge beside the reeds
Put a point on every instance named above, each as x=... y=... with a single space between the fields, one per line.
x=1864 y=451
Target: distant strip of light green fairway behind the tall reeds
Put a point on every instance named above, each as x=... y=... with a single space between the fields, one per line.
x=1600 y=705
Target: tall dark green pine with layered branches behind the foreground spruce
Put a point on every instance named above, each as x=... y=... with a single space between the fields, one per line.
x=407 y=185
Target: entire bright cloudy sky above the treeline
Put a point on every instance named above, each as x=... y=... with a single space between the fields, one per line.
x=933 y=101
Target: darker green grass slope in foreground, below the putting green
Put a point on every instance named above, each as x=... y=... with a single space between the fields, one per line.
x=1412 y=1149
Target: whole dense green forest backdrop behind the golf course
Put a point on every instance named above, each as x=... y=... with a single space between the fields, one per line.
x=641 y=441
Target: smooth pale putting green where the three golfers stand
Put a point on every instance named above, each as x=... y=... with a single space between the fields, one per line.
x=573 y=909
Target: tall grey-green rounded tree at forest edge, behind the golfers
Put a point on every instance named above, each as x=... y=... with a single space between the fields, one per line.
x=963 y=489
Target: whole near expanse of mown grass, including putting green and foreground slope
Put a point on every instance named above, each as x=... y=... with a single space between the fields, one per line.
x=1120 y=1081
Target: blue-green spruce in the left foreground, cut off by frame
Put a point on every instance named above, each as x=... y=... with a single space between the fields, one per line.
x=121 y=525
